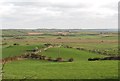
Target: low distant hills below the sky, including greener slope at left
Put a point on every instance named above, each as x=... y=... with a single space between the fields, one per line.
x=26 y=31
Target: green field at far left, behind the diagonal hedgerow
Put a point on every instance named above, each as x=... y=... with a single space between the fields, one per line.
x=10 y=51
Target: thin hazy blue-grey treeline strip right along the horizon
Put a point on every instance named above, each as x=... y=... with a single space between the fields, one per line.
x=63 y=30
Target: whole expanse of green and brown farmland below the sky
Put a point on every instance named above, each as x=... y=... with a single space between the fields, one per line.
x=80 y=46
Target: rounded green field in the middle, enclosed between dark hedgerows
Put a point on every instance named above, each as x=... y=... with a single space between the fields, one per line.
x=68 y=53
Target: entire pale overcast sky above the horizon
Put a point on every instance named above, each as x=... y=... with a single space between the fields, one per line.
x=59 y=14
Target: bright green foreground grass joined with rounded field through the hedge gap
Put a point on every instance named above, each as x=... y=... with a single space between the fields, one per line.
x=79 y=69
